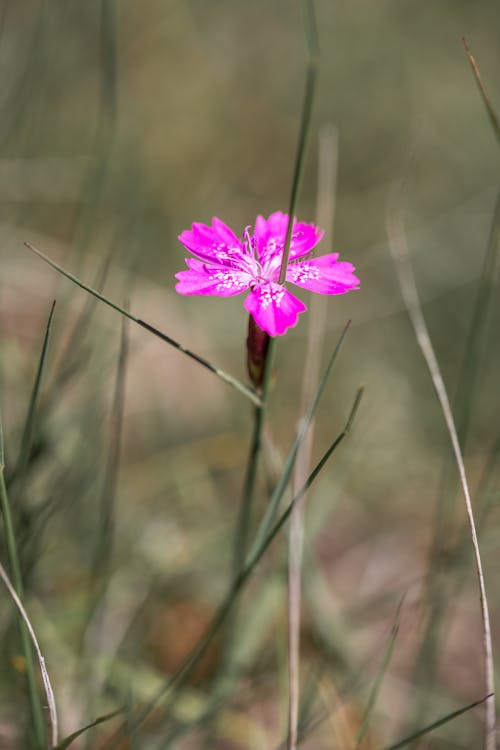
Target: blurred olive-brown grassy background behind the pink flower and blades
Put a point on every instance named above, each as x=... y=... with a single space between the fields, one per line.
x=121 y=123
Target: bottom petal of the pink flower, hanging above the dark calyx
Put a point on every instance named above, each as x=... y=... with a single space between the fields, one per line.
x=273 y=308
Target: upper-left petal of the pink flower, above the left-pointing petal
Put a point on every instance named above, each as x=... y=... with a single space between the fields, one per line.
x=215 y=244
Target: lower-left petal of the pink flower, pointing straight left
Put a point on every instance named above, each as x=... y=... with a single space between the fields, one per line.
x=219 y=281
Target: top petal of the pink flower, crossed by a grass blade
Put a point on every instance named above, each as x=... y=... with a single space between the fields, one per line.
x=270 y=234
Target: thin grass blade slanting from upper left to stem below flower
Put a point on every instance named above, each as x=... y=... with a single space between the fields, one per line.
x=234 y=382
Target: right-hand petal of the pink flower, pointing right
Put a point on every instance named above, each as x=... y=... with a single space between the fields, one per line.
x=324 y=275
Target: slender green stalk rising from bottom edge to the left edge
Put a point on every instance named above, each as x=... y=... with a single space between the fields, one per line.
x=39 y=725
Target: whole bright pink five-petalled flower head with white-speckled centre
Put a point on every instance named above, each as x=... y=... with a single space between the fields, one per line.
x=225 y=265
